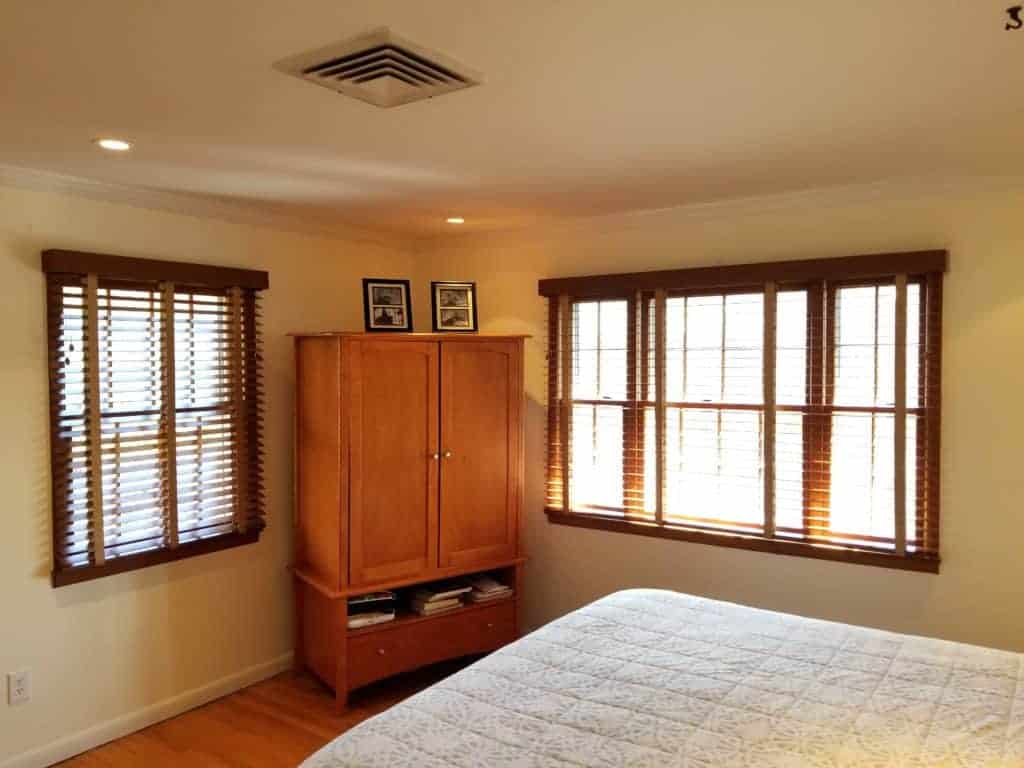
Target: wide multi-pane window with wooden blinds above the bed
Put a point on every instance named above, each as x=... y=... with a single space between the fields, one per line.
x=790 y=408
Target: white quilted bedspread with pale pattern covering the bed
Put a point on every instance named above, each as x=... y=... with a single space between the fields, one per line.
x=653 y=678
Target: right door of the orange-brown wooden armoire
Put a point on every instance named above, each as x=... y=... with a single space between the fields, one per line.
x=482 y=400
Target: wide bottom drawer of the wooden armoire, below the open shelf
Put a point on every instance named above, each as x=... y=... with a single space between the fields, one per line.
x=408 y=646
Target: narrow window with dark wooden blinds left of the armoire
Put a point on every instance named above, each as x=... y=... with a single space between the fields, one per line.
x=156 y=411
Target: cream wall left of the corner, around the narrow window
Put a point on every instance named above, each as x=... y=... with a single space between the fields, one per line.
x=108 y=649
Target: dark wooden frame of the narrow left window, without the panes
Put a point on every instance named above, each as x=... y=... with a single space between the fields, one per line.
x=239 y=286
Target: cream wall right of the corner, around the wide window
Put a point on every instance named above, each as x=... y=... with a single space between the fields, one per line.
x=979 y=594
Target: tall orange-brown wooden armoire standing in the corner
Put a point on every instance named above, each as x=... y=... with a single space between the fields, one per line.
x=409 y=470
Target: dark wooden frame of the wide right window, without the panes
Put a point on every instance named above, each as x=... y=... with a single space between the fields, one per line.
x=821 y=278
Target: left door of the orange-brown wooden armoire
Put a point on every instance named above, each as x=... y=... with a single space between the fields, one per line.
x=394 y=420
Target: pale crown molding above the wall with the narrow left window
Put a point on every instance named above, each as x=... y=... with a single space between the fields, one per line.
x=201 y=206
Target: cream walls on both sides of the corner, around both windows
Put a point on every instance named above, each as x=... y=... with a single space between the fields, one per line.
x=106 y=650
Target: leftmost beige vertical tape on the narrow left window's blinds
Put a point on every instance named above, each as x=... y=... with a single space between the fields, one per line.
x=93 y=415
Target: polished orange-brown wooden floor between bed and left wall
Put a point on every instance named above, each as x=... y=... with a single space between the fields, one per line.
x=274 y=724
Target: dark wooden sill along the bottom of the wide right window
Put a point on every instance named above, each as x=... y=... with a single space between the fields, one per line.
x=739 y=541
